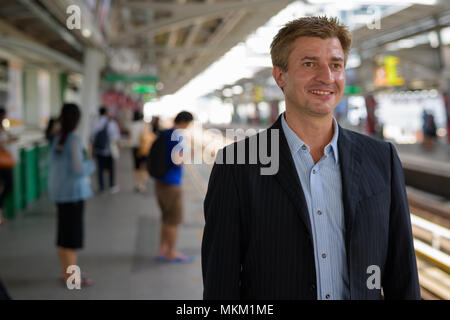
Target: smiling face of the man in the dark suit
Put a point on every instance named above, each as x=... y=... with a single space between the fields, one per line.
x=315 y=80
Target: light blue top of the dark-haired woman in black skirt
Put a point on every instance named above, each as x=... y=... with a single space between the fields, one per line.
x=69 y=171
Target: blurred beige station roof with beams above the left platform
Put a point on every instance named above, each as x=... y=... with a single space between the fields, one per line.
x=172 y=39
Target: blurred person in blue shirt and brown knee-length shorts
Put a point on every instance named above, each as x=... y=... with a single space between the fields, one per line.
x=169 y=192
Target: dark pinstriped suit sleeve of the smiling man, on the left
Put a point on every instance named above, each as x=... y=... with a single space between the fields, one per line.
x=221 y=264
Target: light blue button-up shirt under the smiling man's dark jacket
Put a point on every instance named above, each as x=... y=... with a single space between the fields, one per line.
x=322 y=187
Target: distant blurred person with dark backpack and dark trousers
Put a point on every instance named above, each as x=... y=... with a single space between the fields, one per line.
x=105 y=137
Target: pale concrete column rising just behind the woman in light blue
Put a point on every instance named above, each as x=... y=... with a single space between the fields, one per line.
x=90 y=90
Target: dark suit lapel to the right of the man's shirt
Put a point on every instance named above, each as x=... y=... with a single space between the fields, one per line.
x=350 y=165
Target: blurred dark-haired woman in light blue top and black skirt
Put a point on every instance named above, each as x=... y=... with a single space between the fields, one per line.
x=69 y=187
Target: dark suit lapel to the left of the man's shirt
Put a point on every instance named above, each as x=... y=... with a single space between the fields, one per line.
x=288 y=178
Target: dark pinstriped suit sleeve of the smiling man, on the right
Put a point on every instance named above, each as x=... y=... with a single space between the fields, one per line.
x=400 y=278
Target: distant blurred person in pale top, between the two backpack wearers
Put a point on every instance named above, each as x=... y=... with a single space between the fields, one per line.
x=141 y=138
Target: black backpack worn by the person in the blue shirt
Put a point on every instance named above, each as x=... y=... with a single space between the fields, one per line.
x=157 y=165
